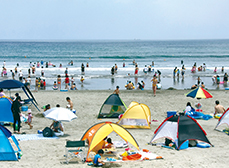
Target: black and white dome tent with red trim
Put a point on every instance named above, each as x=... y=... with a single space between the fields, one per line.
x=179 y=129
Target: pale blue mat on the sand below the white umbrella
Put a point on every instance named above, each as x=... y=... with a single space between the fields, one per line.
x=27 y=137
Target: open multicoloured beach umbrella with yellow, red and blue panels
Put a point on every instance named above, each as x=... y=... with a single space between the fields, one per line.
x=199 y=93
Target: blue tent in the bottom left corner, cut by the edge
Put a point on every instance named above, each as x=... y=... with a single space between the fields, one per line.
x=7 y=152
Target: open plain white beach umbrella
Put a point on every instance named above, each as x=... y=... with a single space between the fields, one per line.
x=60 y=114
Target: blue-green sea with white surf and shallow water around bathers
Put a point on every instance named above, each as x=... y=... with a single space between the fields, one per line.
x=102 y=55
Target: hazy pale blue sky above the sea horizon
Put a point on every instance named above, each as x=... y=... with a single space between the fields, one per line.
x=114 y=19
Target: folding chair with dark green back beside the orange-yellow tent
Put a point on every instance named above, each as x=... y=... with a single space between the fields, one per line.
x=75 y=149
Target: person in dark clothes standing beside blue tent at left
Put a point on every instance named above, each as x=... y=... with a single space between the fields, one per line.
x=15 y=108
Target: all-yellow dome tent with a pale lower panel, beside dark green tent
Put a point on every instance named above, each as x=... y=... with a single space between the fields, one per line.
x=136 y=116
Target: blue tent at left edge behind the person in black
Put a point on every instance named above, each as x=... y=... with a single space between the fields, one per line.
x=6 y=114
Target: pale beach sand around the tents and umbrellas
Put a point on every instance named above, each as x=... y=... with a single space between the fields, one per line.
x=50 y=153
